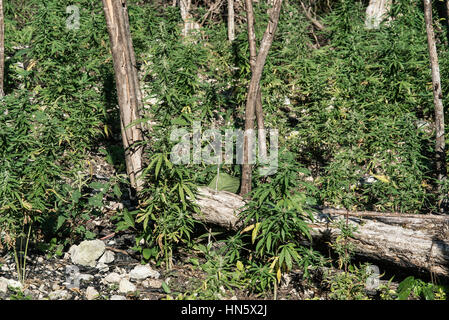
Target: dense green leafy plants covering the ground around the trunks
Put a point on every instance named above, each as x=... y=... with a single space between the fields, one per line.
x=355 y=104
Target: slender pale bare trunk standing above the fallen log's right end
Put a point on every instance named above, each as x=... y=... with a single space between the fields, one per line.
x=437 y=93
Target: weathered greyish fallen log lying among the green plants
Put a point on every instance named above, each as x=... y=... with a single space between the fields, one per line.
x=419 y=242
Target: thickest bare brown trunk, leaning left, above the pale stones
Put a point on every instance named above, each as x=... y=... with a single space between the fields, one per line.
x=128 y=89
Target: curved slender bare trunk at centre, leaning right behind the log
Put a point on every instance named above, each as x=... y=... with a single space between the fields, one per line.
x=253 y=91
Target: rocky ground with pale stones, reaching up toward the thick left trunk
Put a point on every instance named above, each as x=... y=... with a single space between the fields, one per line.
x=108 y=269
